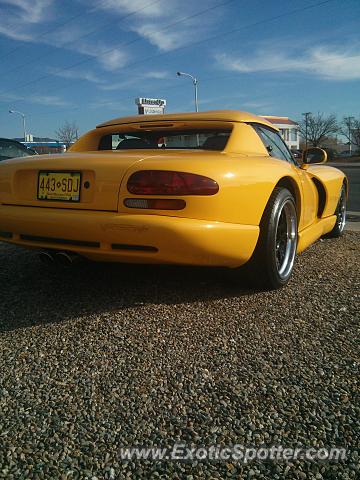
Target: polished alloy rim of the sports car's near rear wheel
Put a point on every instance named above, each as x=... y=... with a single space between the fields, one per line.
x=286 y=239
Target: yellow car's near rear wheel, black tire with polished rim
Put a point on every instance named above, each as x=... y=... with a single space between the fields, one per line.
x=272 y=262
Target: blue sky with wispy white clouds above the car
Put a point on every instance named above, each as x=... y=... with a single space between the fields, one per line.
x=86 y=61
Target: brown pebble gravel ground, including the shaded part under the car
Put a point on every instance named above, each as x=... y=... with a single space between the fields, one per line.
x=107 y=356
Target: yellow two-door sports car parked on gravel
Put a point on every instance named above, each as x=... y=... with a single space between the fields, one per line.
x=214 y=188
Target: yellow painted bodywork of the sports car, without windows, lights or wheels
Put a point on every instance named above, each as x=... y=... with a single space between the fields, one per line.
x=221 y=229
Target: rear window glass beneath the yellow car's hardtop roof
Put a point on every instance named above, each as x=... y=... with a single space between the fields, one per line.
x=175 y=139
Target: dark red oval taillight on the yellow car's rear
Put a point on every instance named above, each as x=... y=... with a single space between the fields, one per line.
x=163 y=182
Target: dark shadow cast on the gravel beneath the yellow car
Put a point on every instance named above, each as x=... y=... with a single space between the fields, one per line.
x=34 y=294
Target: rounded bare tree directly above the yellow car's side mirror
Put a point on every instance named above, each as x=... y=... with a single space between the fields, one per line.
x=318 y=128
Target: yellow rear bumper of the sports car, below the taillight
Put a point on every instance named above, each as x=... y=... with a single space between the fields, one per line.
x=114 y=237
